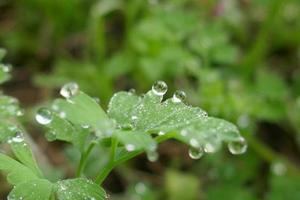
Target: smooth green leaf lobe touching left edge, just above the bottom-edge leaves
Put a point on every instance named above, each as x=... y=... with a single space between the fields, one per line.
x=17 y=173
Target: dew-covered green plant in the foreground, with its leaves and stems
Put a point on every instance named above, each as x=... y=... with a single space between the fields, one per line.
x=132 y=125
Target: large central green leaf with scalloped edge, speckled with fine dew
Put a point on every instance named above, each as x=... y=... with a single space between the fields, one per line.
x=172 y=118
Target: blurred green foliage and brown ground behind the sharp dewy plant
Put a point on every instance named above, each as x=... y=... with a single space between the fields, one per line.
x=236 y=59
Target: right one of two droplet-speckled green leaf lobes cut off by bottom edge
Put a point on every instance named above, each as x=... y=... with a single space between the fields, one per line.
x=78 y=189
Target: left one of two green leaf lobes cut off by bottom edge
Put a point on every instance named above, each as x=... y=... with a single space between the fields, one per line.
x=39 y=189
